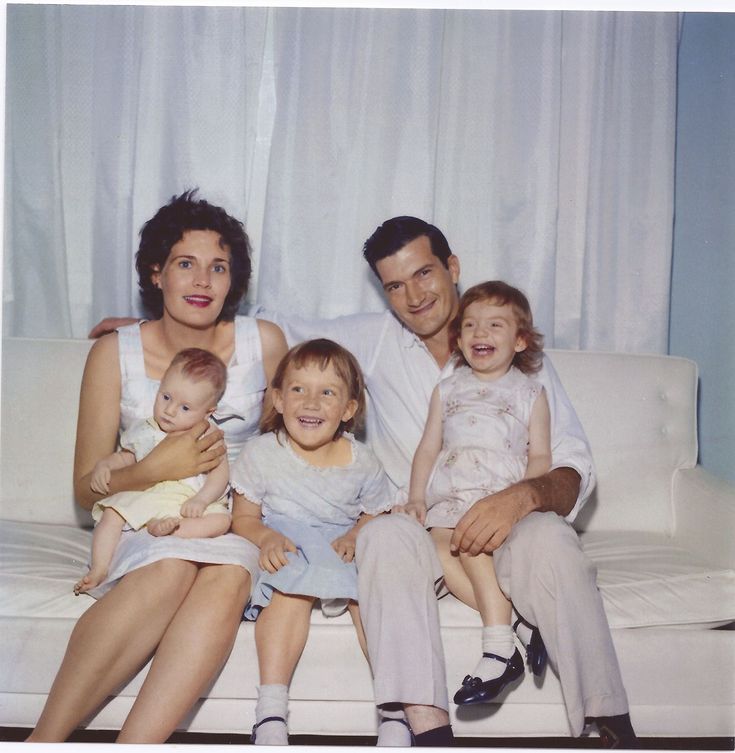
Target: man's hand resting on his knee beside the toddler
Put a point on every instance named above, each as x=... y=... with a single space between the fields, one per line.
x=486 y=525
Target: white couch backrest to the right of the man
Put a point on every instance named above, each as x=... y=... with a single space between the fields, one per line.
x=639 y=413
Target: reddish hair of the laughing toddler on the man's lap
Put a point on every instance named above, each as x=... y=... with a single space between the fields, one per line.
x=529 y=360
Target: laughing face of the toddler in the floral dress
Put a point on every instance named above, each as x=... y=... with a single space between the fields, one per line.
x=488 y=338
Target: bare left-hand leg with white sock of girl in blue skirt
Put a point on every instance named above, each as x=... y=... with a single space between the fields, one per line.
x=281 y=631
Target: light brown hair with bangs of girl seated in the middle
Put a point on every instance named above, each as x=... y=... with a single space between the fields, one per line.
x=321 y=352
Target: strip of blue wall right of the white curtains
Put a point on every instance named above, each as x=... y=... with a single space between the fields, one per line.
x=702 y=325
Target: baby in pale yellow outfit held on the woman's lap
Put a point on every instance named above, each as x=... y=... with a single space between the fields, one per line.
x=194 y=507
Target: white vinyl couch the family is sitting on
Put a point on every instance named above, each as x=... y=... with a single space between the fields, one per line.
x=659 y=528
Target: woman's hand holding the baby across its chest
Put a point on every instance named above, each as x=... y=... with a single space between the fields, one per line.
x=186 y=453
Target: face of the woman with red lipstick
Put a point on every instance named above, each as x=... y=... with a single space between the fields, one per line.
x=195 y=278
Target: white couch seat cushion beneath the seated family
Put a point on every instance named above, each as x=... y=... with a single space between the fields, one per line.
x=644 y=579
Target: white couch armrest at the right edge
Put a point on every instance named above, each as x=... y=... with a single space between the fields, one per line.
x=704 y=515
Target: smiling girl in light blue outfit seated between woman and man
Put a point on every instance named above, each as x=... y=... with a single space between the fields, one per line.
x=303 y=489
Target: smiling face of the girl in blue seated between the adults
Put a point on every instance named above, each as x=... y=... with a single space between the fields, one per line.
x=313 y=403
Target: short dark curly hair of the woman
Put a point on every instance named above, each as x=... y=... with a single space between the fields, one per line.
x=167 y=227
